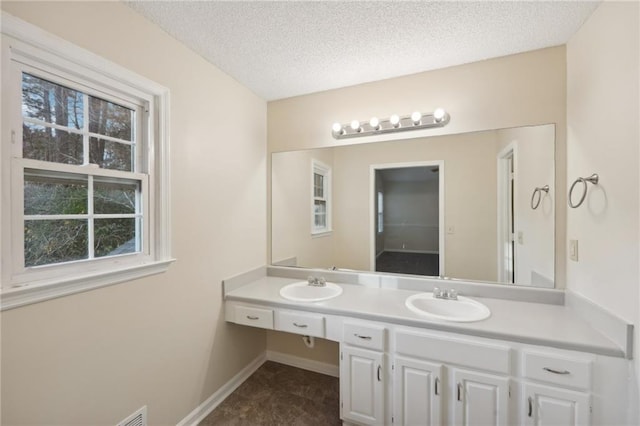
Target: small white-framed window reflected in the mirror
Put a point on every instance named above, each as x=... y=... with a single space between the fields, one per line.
x=321 y=198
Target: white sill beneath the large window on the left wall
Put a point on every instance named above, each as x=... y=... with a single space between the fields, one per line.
x=26 y=295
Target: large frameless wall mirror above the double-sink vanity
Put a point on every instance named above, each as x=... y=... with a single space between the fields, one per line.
x=475 y=206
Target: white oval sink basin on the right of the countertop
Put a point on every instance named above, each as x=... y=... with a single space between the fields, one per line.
x=461 y=310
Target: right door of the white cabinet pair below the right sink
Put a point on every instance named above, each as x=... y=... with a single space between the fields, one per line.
x=479 y=398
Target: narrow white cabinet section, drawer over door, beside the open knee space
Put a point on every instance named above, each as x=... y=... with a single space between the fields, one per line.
x=363 y=374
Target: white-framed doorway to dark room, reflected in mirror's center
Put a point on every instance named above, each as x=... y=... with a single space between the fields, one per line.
x=408 y=218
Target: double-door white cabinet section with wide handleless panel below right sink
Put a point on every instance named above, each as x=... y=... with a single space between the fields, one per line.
x=440 y=379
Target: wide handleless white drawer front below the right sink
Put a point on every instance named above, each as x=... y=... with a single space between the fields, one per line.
x=463 y=352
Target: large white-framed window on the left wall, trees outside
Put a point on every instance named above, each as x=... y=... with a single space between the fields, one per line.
x=87 y=160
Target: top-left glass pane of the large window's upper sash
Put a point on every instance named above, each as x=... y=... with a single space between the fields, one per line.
x=51 y=102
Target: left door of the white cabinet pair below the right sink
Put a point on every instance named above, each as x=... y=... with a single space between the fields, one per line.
x=417 y=394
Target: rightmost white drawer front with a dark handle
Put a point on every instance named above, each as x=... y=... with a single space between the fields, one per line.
x=557 y=369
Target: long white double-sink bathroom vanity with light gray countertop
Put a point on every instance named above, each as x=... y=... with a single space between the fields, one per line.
x=528 y=363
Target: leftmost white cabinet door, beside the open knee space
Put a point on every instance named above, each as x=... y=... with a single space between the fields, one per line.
x=362 y=385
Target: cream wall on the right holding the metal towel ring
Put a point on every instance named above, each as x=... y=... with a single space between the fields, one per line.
x=602 y=78
